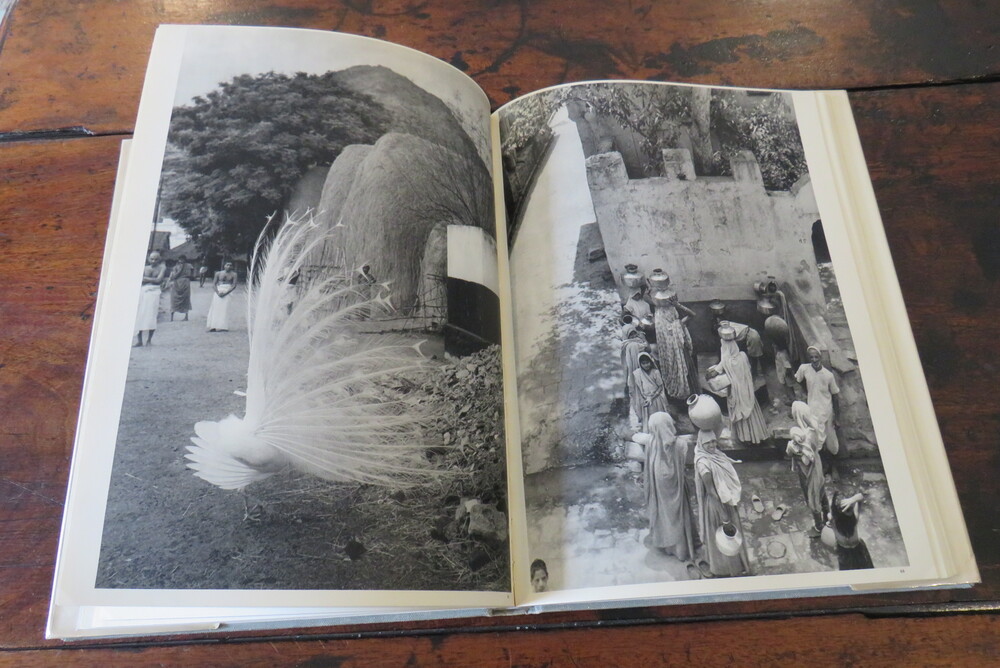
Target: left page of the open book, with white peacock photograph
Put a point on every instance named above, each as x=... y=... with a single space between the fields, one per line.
x=294 y=381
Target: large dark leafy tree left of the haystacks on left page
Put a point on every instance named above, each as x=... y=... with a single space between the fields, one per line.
x=235 y=155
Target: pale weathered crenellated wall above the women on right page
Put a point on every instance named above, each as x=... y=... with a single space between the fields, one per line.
x=714 y=236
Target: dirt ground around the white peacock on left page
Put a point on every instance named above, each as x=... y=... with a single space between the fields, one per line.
x=165 y=528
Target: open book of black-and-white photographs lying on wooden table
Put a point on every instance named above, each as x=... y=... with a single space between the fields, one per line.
x=365 y=351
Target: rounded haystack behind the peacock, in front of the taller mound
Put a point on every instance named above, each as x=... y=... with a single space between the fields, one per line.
x=404 y=187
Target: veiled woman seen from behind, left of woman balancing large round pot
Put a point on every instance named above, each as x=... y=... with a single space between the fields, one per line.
x=671 y=521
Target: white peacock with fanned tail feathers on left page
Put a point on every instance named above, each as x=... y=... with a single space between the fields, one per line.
x=321 y=397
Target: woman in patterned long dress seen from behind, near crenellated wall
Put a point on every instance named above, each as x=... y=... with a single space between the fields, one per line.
x=674 y=346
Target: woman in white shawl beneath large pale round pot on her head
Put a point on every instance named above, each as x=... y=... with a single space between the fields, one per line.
x=718 y=490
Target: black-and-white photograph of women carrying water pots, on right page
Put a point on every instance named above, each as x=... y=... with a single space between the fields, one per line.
x=692 y=403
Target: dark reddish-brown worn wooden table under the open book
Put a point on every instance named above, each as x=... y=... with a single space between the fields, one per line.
x=922 y=76
